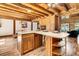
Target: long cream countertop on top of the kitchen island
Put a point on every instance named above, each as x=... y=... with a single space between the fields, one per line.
x=51 y=34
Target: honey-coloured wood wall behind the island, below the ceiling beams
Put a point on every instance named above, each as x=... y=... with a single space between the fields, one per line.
x=48 y=21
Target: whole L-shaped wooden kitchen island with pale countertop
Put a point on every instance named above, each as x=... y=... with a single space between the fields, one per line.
x=34 y=40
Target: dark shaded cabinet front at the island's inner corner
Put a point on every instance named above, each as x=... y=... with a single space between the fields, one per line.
x=37 y=40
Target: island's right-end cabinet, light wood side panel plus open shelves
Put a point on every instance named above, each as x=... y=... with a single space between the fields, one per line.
x=53 y=48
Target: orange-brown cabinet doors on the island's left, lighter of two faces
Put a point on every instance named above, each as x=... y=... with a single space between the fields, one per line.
x=27 y=42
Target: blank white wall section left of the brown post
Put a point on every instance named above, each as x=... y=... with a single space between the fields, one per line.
x=7 y=27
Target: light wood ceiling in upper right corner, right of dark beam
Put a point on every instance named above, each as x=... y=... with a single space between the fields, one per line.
x=73 y=8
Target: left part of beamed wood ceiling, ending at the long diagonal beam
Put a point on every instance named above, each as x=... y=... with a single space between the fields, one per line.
x=23 y=11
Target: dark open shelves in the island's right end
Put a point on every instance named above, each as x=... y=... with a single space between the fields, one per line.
x=56 y=47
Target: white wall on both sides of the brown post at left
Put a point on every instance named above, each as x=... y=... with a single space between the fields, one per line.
x=7 y=27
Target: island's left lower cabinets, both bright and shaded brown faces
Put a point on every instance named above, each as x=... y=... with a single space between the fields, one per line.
x=30 y=42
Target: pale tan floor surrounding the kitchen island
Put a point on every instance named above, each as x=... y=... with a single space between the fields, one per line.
x=8 y=47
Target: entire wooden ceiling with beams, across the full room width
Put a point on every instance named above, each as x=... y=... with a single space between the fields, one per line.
x=30 y=11
